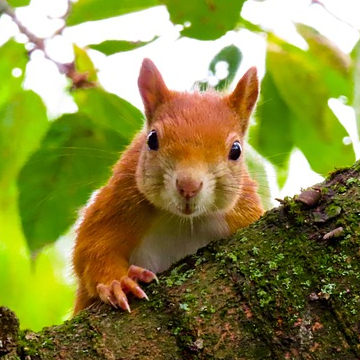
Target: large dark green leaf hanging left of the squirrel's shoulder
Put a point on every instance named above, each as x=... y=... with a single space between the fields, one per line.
x=74 y=159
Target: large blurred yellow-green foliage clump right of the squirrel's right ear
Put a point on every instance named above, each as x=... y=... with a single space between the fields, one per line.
x=298 y=84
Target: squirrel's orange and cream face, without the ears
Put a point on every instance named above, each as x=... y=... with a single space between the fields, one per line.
x=191 y=160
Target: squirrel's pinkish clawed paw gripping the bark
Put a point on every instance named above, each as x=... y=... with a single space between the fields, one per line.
x=115 y=293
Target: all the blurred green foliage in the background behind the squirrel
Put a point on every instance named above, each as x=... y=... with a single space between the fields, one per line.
x=48 y=169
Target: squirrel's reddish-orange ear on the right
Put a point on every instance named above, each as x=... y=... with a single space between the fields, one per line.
x=243 y=98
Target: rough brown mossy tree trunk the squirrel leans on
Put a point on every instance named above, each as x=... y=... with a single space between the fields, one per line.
x=286 y=287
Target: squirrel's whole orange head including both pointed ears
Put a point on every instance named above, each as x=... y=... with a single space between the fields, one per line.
x=191 y=162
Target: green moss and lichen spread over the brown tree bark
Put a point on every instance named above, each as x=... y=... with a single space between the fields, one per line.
x=280 y=269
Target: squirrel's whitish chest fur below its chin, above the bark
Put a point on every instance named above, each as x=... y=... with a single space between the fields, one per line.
x=171 y=238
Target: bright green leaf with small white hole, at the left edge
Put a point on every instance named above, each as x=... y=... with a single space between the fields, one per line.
x=12 y=56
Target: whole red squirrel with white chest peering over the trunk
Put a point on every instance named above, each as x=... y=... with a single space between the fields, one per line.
x=181 y=183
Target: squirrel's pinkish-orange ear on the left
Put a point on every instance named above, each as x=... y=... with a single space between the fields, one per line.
x=152 y=88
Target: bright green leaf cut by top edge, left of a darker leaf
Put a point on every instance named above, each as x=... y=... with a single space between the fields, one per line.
x=90 y=10
